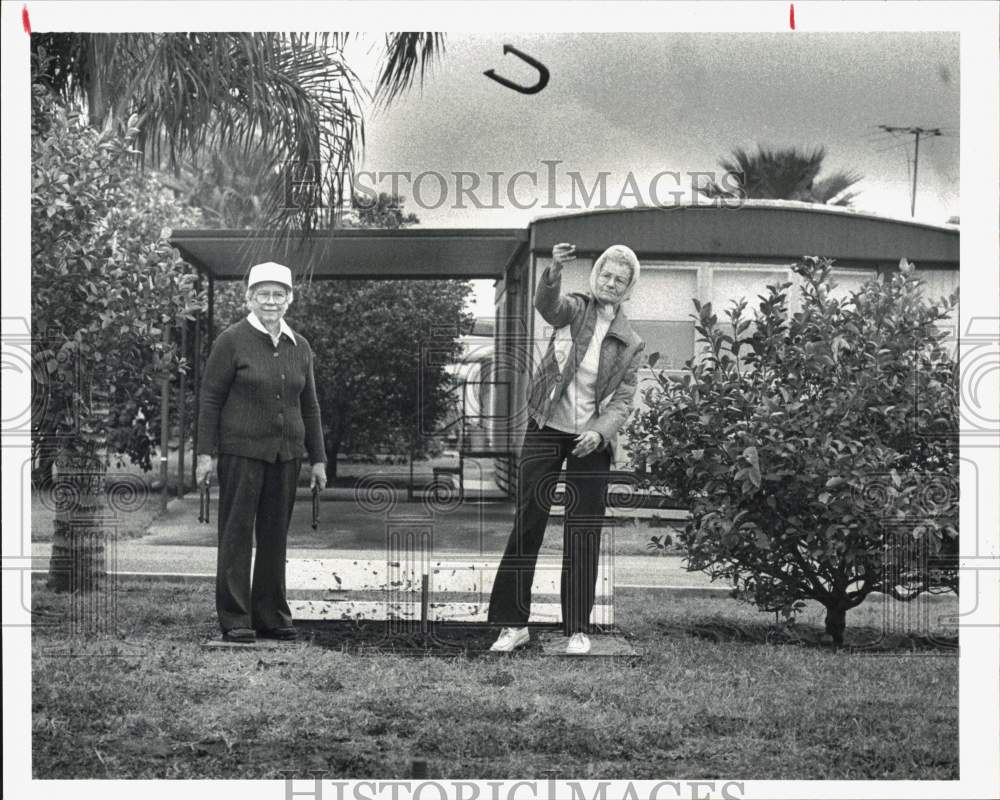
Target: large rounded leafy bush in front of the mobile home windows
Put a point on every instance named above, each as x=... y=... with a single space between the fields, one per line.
x=818 y=451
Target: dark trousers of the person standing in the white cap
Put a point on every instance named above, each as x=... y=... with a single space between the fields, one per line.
x=253 y=491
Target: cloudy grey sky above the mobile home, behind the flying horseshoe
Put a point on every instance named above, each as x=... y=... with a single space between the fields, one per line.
x=643 y=103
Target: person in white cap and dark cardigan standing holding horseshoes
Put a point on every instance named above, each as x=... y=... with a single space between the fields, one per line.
x=259 y=416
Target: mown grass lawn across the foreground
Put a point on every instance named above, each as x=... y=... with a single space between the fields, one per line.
x=708 y=697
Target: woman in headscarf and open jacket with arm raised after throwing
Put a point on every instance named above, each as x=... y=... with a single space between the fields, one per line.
x=580 y=397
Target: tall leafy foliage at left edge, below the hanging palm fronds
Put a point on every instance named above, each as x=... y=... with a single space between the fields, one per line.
x=105 y=284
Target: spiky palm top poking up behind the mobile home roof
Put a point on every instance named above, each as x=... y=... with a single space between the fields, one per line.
x=782 y=174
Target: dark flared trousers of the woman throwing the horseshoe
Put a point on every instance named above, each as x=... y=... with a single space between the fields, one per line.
x=586 y=485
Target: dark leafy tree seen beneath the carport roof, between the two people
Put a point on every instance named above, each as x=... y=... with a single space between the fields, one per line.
x=381 y=350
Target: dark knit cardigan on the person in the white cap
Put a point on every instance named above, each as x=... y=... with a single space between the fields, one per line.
x=258 y=399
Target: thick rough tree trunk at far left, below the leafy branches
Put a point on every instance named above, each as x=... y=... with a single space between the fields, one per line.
x=79 y=559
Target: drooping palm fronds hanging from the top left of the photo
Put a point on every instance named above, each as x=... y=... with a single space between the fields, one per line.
x=282 y=99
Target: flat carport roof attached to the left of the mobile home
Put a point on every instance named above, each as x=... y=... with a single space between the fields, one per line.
x=356 y=253
